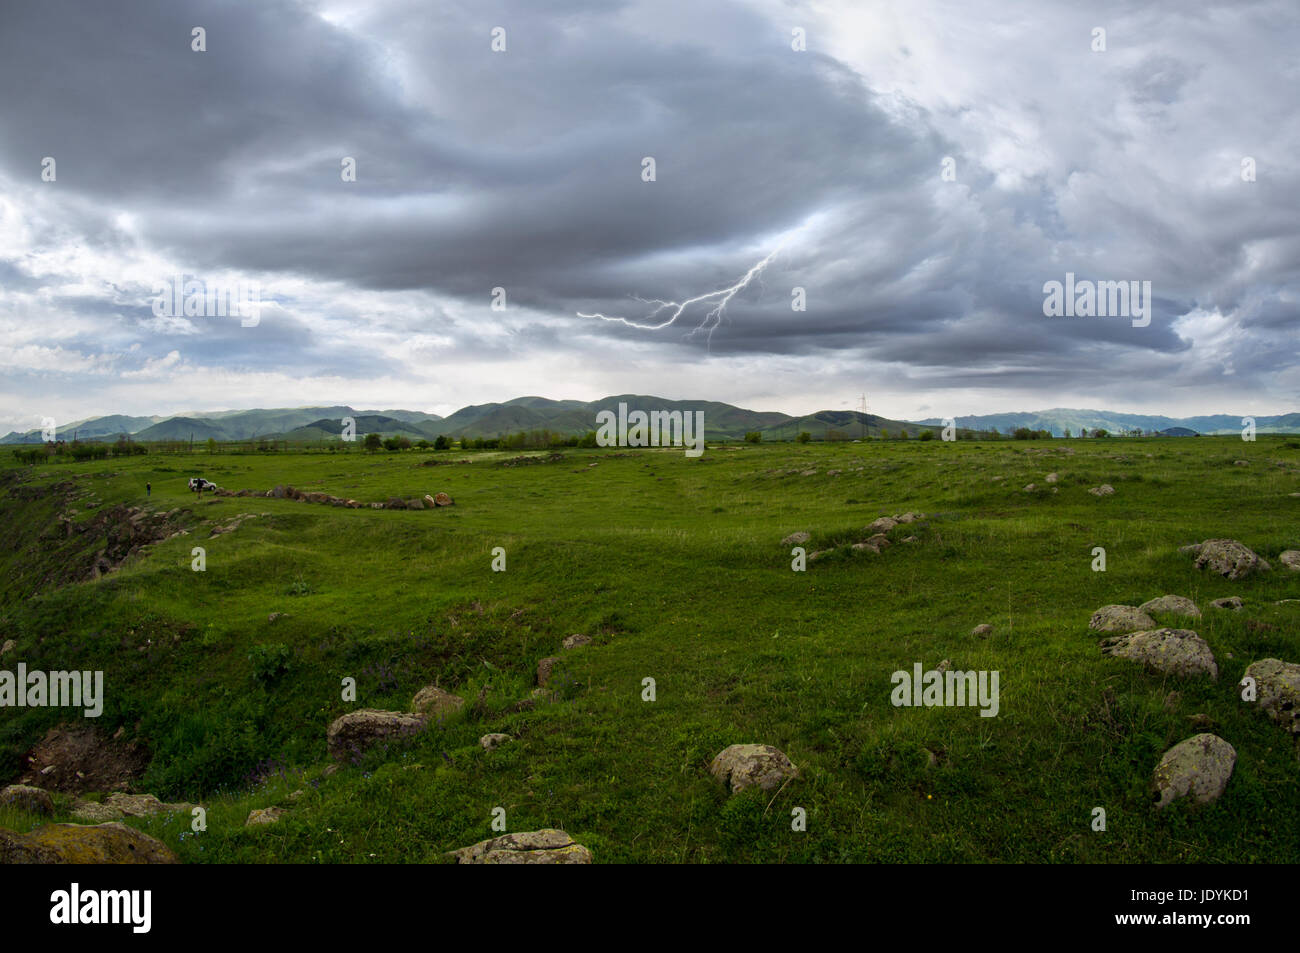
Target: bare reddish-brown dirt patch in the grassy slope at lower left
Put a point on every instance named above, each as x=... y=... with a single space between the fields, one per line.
x=76 y=757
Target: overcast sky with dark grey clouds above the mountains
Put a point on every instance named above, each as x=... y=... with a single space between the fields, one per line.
x=523 y=170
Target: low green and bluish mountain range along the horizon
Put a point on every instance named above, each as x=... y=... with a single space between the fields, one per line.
x=722 y=422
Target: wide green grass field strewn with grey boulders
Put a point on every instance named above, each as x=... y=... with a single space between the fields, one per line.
x=677 y=569
